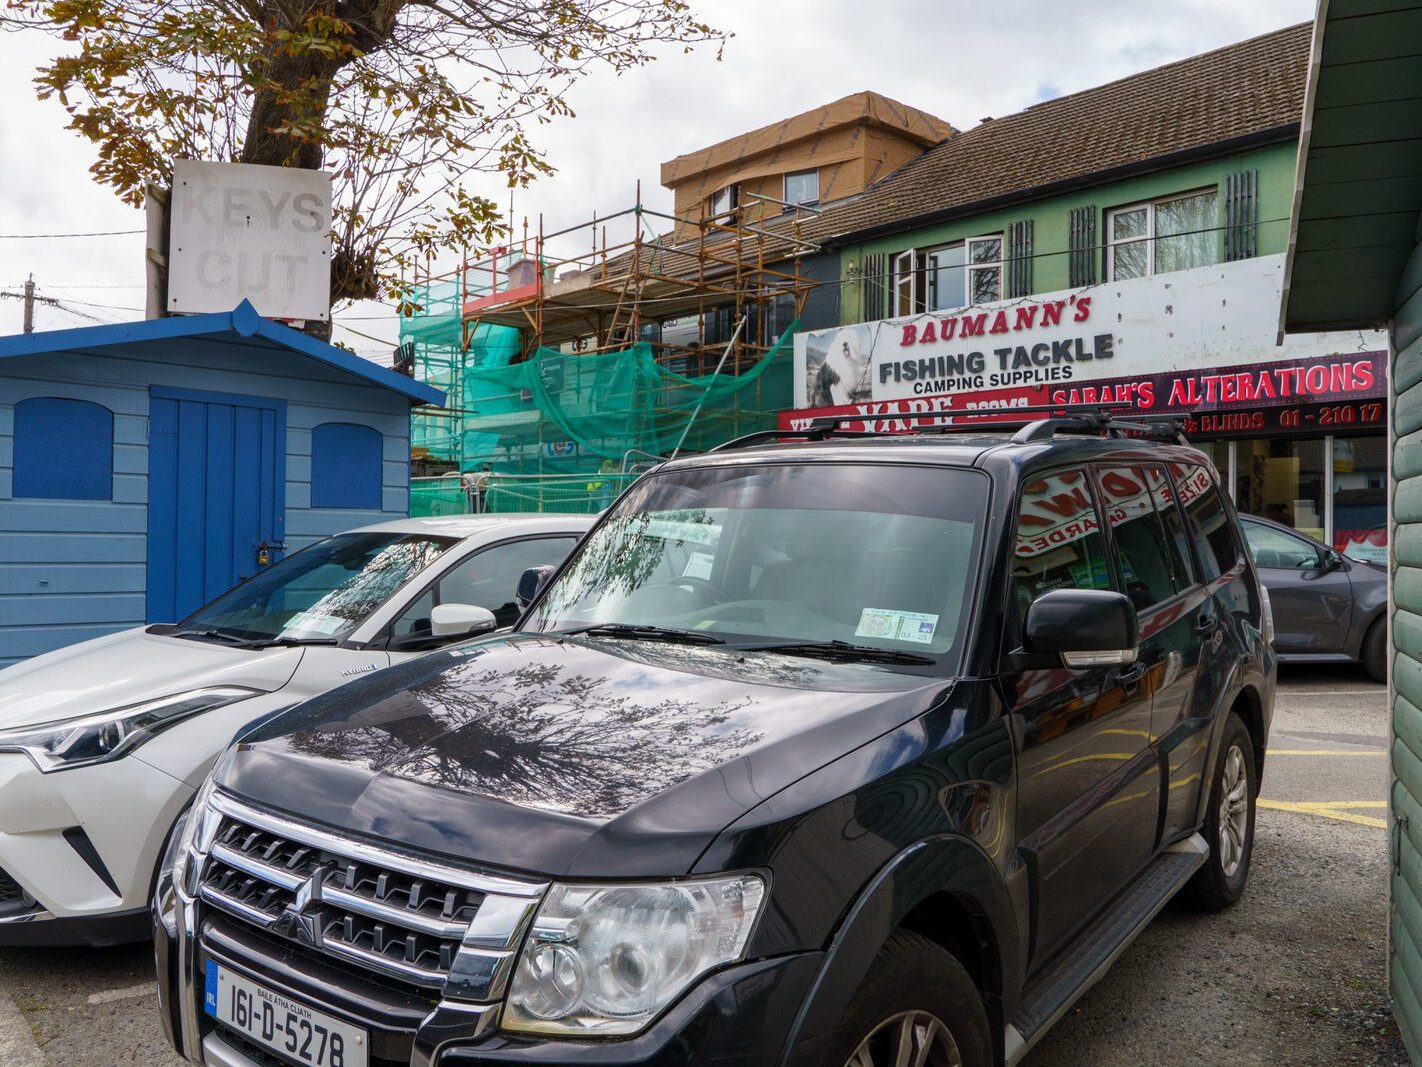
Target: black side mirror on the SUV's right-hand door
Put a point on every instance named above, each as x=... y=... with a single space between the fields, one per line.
x=1086 y=628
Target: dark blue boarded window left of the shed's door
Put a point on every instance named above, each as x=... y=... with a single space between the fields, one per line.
x=63 y=450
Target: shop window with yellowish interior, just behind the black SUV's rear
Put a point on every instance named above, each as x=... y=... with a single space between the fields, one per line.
x=1283 y=480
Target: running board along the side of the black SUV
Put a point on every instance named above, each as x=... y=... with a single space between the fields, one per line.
x=1084 y=964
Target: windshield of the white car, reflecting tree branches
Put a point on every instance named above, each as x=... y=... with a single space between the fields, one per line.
x=321 y=594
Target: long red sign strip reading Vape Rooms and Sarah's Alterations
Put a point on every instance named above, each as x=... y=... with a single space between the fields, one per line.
x=1305 y=396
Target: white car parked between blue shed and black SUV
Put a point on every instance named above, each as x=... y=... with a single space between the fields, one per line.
x=105 y=743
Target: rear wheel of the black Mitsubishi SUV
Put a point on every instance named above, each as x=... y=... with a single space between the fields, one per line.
x=1229 y=823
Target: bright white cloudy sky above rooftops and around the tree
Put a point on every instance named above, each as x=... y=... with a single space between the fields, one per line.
x=955 y=59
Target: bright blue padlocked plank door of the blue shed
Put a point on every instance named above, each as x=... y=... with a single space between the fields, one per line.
x=217 y=494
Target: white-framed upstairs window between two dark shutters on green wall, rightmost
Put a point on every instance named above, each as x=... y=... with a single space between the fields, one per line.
x=1160 y=237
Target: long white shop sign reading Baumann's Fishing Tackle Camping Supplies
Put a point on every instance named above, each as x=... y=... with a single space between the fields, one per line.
x=1215 y=317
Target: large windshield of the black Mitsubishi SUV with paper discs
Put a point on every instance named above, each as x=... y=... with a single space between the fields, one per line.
x=871 y=556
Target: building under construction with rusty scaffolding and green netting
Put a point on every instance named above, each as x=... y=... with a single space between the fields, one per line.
x=575 y=358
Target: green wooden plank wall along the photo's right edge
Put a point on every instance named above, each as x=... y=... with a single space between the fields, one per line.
x=1407 y=662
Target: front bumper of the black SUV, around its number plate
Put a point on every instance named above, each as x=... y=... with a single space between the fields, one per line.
x=737 y=1016
